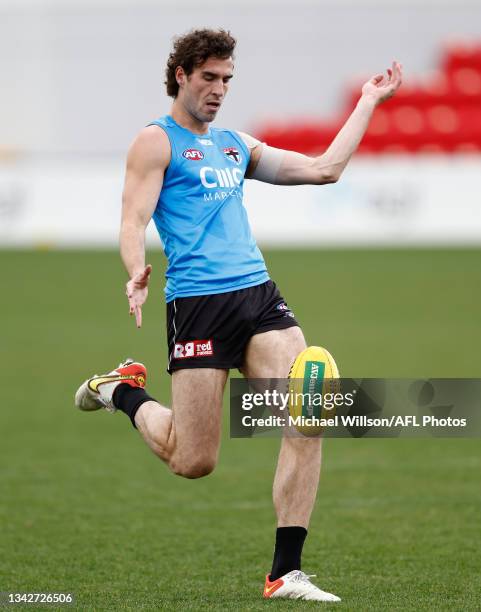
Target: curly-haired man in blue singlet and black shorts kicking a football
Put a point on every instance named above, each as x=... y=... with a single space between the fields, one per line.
x=223 y=310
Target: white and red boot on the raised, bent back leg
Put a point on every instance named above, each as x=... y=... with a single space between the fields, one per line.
x=96 y=392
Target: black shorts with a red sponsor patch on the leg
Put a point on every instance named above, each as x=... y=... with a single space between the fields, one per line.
x=212 y=331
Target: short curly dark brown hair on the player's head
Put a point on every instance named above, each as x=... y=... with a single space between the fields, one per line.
x=193 y=49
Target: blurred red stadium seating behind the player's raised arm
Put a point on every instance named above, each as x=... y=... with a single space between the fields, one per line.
x=440 y=113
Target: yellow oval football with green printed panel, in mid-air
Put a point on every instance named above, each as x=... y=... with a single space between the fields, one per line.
x=313 y=374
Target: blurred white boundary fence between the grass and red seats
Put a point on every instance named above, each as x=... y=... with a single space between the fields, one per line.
x=386 y=201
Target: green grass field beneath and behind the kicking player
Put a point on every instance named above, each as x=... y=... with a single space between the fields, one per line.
x=85 y=508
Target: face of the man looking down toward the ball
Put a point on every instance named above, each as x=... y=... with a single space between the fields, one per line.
x=203 y=91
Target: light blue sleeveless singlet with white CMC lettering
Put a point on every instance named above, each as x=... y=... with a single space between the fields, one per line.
x=200 y=216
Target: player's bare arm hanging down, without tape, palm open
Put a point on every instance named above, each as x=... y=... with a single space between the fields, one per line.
x=148 y=157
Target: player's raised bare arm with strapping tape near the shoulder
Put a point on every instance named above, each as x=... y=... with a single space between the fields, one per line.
x=290 y=168
